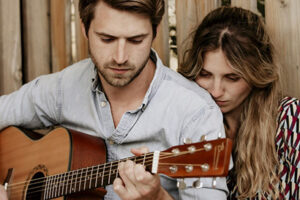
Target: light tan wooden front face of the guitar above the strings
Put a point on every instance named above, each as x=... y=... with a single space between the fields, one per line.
x=49 y=155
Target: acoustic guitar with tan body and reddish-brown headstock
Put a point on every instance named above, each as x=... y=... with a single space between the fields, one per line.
x=67 y=164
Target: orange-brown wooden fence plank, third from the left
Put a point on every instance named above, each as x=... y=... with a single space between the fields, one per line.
x=60 y=11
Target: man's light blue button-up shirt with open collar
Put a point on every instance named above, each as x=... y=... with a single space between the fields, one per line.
x=173 y=108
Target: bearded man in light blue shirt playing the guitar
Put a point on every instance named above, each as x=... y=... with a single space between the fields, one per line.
x=124 y=95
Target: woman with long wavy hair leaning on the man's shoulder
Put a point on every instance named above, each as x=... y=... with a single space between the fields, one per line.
x=232 y=57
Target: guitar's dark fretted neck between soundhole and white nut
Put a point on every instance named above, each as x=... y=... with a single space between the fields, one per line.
x=88 y=178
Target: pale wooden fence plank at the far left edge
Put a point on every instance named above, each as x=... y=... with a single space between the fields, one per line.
x=10 y=46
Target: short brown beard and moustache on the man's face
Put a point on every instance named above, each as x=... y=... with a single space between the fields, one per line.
x=118 y=80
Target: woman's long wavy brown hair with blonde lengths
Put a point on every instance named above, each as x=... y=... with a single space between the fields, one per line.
x=242 y=37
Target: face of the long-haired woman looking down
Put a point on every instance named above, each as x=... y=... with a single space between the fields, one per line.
x=227 y=88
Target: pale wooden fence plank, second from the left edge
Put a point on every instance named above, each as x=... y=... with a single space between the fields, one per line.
x=36 y=37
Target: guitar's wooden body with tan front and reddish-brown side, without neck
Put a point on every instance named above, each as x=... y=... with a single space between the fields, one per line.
x=59 y=151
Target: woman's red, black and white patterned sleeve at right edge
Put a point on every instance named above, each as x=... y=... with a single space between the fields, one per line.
x=288 y=146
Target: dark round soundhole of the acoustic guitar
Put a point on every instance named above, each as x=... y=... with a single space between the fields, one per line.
x=36 y=187
